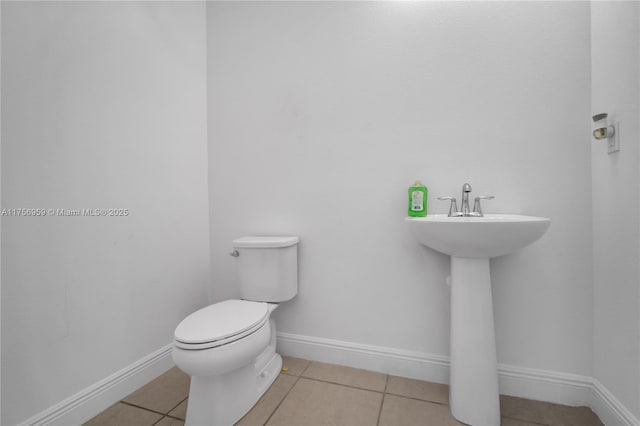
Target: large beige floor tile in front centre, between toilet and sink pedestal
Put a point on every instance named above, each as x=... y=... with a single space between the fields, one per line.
x=318 y=403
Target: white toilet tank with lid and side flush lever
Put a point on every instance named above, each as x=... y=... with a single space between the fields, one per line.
x=267 y=268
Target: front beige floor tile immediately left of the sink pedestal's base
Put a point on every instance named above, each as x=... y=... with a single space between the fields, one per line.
x=400 y=411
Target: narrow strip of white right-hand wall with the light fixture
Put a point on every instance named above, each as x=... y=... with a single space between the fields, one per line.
x=616 y=216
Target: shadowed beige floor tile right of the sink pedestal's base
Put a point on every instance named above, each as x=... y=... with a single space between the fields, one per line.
x=546 y=412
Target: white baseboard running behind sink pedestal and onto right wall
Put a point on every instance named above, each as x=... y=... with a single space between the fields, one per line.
x=540 y=385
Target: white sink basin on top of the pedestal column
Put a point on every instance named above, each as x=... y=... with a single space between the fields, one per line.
x=477 y=237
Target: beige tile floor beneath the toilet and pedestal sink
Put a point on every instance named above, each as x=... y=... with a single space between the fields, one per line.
x=313 y=393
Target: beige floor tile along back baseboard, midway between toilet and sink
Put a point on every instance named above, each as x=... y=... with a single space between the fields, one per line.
x=347 y=376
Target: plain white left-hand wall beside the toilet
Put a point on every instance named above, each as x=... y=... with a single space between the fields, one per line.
x=103 y=106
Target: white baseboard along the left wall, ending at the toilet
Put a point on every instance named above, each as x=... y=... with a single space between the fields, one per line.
x=85 y=404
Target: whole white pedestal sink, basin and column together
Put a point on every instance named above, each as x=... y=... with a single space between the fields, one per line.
x=471 y=242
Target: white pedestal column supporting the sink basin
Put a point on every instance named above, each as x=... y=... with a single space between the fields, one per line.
x=473 y=390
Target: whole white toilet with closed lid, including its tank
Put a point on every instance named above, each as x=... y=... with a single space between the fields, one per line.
x=229 y=348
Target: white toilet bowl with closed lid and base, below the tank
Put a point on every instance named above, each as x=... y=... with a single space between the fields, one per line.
x=232 y=365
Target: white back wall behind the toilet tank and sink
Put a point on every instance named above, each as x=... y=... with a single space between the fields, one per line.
x=322 y=114
